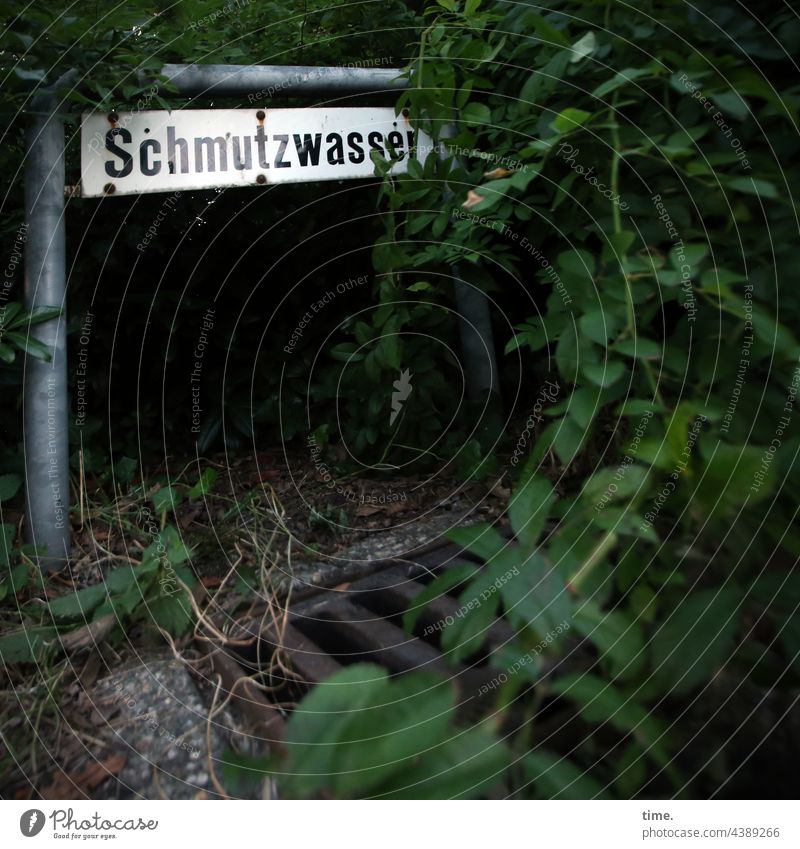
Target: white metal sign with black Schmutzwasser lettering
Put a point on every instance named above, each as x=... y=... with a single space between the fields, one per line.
x=136 y=153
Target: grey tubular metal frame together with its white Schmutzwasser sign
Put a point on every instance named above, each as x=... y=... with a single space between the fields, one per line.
x=187 y=149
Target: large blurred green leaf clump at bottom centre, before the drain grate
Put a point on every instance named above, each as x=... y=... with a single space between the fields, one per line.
x=359 y=735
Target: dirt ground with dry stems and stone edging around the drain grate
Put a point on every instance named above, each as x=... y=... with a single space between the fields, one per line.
x=69 y=729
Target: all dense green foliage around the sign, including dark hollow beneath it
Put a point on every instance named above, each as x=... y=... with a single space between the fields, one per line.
x=619 y=181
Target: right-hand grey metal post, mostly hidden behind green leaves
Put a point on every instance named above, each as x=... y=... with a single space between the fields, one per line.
x=475 y=324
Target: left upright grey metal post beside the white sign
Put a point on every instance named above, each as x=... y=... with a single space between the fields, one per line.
x=45 y=401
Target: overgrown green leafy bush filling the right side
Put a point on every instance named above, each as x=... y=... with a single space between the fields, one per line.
x=632 y=173
